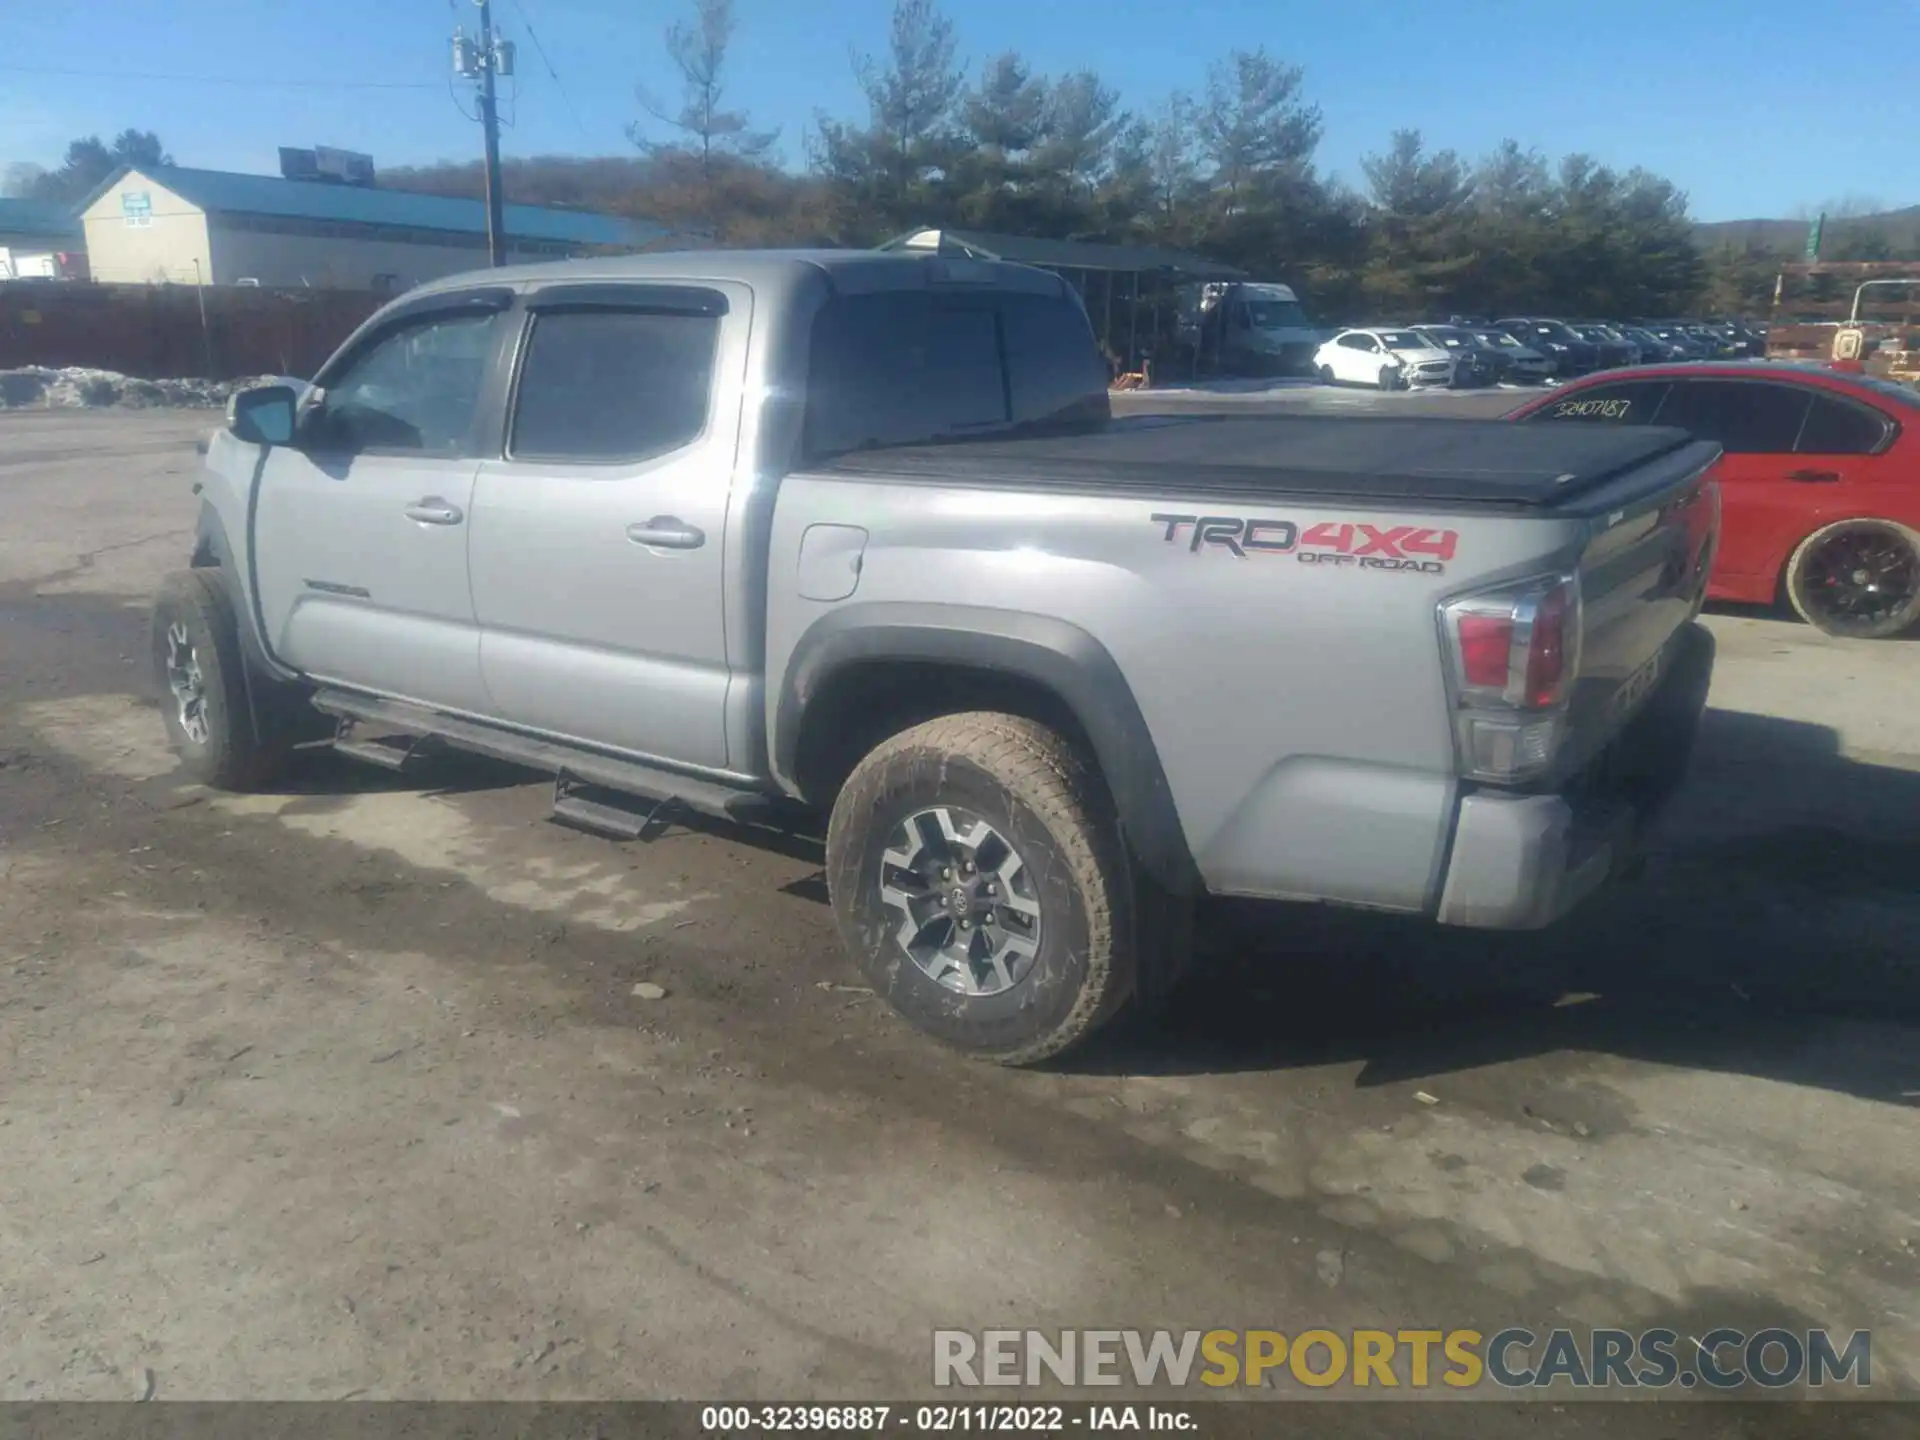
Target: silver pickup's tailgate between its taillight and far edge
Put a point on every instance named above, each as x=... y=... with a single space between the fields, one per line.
x=1643 y=579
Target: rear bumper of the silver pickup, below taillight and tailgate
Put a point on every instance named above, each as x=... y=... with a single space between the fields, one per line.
x=1525 y=861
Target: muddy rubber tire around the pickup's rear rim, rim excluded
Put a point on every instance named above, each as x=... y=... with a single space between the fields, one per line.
x=1045 y=798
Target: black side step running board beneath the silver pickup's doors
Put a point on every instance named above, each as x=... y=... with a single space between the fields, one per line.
x=612 y=779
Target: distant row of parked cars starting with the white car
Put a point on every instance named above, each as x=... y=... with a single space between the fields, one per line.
x=1524 y=350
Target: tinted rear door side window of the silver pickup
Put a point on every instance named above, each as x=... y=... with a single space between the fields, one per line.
x=613 y=385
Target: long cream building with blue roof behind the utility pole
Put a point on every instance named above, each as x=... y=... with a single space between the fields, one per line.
x=176 y=226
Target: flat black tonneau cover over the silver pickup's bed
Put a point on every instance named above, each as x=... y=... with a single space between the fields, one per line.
x=1493 y=464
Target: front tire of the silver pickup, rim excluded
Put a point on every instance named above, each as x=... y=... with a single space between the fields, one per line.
x=231 y=756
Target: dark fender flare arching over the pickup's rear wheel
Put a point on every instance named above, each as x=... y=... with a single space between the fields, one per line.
x=1051 y=654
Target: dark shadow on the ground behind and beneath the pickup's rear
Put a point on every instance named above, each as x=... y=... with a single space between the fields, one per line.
x=1785 y=894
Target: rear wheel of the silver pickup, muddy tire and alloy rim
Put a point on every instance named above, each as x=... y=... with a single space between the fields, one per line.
x=984 y=888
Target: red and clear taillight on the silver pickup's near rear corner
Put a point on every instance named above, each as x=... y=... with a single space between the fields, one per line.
x=1514 y=658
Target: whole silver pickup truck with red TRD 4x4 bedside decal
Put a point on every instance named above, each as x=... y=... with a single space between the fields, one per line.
x=782 y=537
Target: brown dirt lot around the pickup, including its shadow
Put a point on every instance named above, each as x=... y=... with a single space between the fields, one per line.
x=345 y=1090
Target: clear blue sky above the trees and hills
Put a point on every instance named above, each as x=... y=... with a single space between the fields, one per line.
x=1735 y=103
